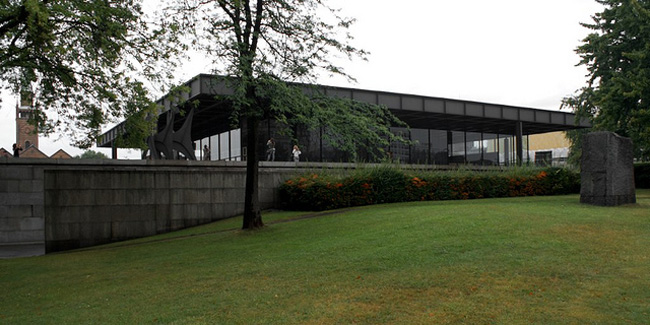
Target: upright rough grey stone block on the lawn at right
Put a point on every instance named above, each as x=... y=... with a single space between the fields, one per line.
x=607 y=171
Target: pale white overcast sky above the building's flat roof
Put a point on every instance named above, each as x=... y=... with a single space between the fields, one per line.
x=510 y=52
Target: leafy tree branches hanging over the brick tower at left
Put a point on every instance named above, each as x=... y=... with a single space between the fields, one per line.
x=78 y=58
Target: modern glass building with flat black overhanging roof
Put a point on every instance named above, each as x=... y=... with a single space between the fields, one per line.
x=443 y=131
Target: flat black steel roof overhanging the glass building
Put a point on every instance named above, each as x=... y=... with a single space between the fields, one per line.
x=212 y=116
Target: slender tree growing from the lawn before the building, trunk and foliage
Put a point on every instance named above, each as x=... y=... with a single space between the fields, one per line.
x=262 y=44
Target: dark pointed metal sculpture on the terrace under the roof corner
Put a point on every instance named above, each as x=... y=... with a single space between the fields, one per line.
x=164 y=144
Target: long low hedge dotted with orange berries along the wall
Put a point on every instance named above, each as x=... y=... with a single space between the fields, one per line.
x=314 y=191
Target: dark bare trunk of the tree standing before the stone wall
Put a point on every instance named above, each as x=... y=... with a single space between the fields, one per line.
x=252 y=214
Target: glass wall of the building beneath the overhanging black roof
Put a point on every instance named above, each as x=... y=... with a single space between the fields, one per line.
x=427 y=147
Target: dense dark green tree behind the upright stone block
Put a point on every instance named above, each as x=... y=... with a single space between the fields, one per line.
x=617 y=56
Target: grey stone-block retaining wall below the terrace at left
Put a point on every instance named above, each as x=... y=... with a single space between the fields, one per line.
x=50 y=205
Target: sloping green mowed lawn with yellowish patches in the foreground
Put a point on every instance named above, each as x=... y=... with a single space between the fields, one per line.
x=548 y=260
